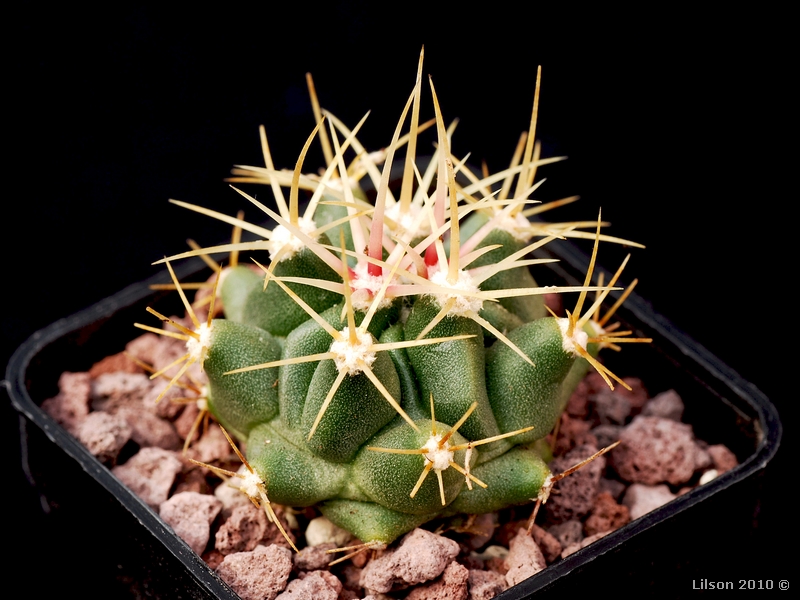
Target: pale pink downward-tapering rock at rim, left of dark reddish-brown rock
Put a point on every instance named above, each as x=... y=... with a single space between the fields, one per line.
x=190 y=515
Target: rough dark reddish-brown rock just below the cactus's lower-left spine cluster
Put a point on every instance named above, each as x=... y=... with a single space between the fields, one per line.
x=248 y=527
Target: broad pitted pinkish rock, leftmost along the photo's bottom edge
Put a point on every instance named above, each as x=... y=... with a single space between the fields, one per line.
x=261 y=574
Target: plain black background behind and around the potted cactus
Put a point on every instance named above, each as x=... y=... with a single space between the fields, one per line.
x=672 y=123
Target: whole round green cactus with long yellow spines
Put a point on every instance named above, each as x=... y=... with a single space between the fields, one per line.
x=394 y=360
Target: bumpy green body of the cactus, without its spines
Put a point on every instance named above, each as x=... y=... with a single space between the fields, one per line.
x=361 y=489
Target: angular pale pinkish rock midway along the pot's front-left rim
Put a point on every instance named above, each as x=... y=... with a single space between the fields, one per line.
x=150 y=474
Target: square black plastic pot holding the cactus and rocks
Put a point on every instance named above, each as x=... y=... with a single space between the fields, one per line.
x=138 y=551
